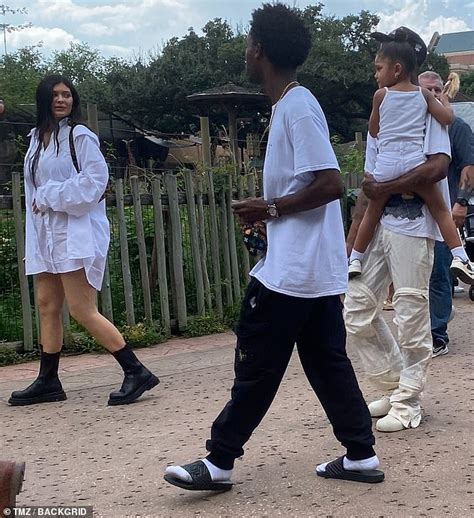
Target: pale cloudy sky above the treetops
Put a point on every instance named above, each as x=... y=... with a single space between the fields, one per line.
x=127 y=27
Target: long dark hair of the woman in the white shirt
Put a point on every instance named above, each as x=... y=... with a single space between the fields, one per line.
x=45 y=120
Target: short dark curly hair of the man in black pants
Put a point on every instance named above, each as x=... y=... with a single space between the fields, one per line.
x=283 y=35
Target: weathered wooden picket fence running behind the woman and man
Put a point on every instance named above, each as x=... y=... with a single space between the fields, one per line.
x=192 y=230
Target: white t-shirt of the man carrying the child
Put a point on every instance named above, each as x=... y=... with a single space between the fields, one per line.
x=411 y=217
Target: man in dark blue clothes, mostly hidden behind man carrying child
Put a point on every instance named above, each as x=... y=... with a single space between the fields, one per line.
x=461 y=187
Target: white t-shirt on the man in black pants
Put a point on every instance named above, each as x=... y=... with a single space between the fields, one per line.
x=306 y=254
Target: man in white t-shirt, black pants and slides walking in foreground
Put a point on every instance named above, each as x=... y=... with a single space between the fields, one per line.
x=294 y=292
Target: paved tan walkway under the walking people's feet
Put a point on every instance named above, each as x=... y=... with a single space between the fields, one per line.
x=82 y=452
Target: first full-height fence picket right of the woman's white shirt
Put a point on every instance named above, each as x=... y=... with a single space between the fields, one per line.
x=124 y=257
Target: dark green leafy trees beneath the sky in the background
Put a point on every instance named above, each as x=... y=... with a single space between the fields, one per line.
x=152 y=89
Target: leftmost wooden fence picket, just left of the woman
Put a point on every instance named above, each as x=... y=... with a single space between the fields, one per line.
x=20 y=253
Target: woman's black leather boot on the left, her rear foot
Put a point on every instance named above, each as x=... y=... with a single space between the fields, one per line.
x=46 y=387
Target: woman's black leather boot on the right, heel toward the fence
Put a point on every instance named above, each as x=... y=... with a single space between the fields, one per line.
x=137 y=378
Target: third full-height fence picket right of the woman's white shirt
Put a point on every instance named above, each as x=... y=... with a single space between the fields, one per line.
x=161 y=254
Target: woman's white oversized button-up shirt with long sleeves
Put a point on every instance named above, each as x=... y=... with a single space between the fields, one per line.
x=72 y=230
